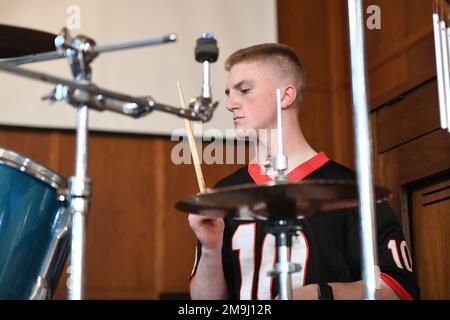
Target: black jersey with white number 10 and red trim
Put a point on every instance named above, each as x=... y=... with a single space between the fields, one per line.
x=327 y=248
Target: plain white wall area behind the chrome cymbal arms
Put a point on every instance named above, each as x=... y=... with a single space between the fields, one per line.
x=144 y=71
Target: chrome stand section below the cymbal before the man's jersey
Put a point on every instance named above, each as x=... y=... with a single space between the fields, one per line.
x=283 y=231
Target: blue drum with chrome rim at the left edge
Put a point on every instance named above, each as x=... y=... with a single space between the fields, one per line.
x=34 y=228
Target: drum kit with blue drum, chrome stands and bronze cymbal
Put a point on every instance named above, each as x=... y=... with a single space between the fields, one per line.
x=43 y=215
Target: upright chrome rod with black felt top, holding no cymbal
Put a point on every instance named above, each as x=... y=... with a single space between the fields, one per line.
x=206 y=52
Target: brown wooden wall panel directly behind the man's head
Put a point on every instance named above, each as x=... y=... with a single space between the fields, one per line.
x=317 y=31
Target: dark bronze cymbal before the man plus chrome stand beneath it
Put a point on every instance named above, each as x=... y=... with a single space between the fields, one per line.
x=281 y=204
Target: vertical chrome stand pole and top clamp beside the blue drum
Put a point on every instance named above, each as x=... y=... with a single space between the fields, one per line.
x=80 y=55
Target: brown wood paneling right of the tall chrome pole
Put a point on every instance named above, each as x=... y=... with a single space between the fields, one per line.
x=411 y=152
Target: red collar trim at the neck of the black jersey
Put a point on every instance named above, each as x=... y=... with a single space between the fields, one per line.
x=255 y=171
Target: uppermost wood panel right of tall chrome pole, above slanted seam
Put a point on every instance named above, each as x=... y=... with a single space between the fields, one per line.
x=400 y=55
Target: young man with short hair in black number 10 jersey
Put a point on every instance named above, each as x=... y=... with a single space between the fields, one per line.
x=234 y=256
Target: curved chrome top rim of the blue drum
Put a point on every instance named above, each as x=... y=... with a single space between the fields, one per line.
x=35 y=169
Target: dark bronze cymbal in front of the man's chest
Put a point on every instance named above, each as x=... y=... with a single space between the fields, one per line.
x=285 y=200
